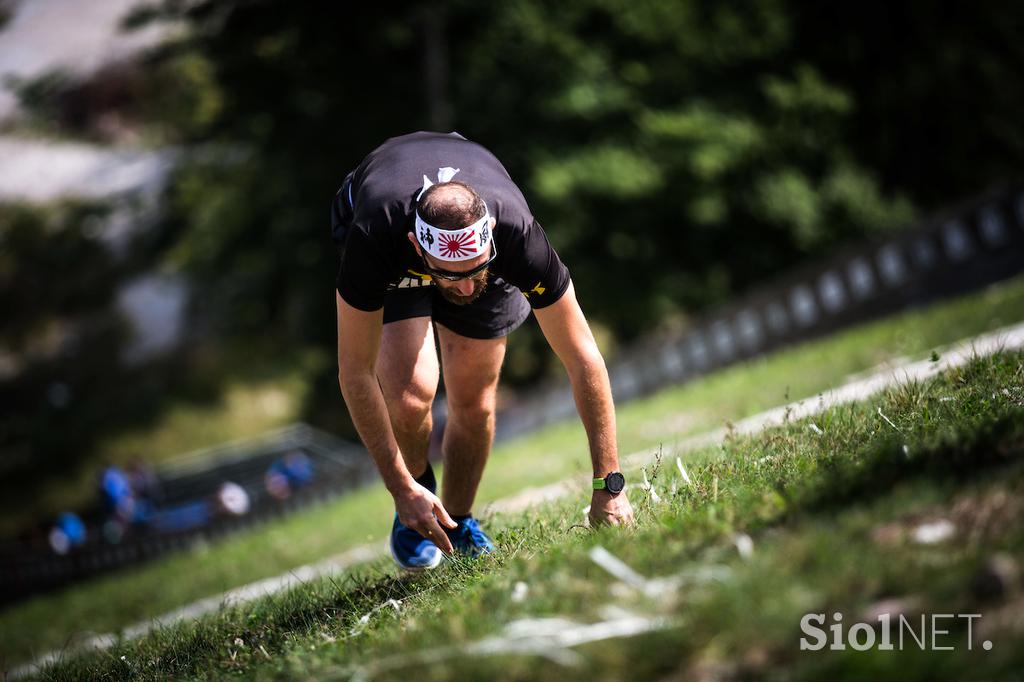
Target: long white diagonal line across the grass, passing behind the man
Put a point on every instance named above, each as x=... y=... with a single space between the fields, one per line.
x=1008 y=338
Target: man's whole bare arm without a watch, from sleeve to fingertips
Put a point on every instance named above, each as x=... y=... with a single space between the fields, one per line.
x=359 y=345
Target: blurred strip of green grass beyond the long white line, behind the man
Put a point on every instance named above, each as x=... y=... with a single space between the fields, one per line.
x=118 y=601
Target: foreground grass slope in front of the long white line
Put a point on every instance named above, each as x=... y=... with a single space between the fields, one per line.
x=833 y=518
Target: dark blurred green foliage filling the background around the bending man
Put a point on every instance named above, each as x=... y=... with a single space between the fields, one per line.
x=677 y=153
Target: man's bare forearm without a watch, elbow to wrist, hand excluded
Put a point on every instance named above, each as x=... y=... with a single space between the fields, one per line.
x=366 y=405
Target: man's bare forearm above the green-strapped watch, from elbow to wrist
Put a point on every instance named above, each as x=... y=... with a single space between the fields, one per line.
x=592 y=392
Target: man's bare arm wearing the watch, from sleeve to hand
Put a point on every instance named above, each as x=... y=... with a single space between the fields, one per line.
x=567 y=330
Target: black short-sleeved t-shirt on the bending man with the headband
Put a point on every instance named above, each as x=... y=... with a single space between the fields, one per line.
x=374 y=211
